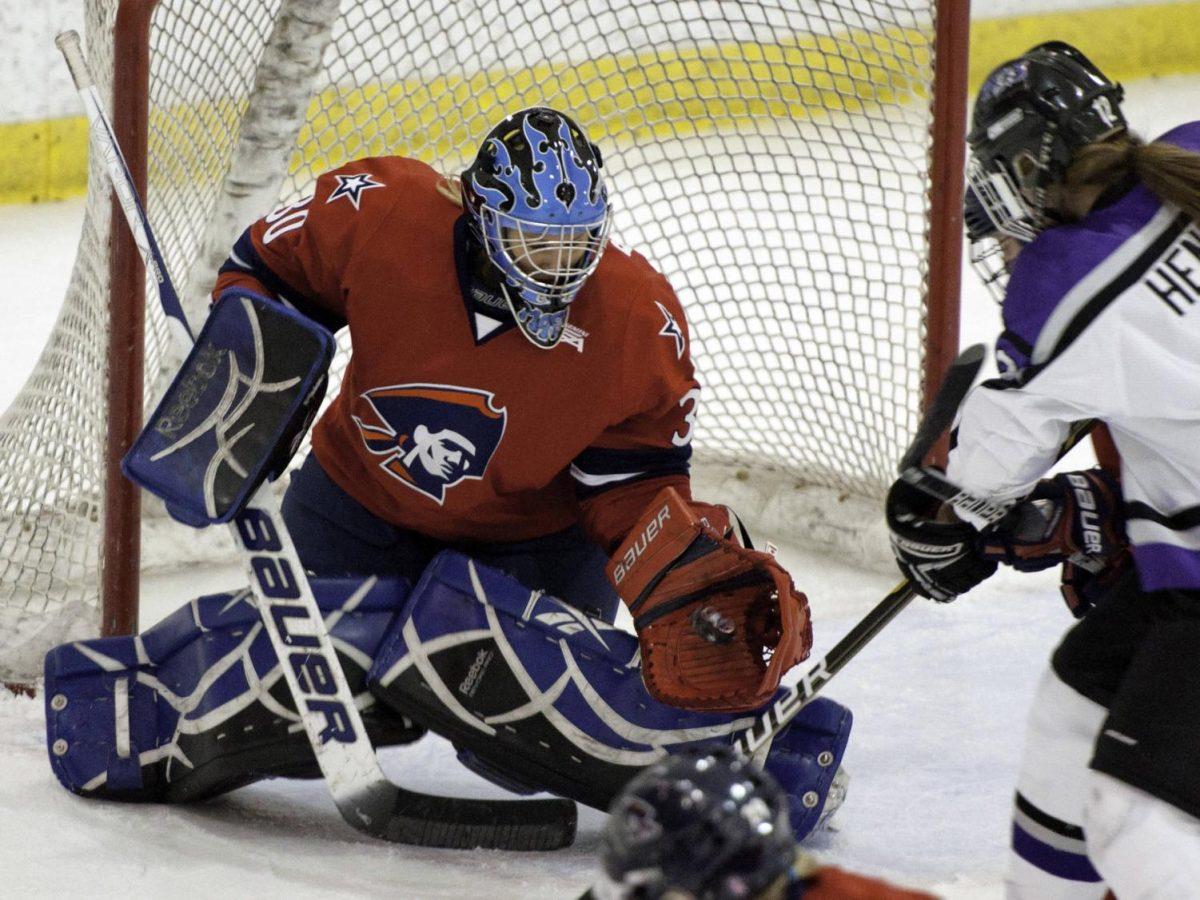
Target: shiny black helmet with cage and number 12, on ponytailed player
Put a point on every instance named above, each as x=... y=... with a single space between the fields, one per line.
x=1030 y=118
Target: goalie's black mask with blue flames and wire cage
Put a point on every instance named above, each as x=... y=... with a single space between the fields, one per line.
x=537 y=203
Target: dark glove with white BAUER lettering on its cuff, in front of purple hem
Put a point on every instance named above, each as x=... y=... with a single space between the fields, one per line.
x=1073 y=518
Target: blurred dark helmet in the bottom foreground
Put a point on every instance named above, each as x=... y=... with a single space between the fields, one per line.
x=703 y=823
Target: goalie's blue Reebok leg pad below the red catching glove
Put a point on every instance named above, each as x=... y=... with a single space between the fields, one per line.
x=538 y=697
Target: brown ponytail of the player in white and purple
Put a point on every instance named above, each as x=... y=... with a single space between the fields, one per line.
x=1171 y=172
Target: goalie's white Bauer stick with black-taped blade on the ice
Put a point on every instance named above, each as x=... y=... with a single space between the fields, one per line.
x=365 y=797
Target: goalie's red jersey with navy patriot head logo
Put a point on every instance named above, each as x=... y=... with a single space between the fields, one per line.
x=449 y=423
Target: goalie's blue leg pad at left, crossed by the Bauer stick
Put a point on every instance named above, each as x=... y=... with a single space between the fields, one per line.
x=199 y=705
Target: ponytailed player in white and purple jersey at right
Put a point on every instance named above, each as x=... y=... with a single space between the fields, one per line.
x=1100 y=263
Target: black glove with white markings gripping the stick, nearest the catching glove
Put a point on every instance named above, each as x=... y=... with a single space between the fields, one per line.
x=941 y=559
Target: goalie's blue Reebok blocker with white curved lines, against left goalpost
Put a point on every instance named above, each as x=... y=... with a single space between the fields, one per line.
x=236 y=411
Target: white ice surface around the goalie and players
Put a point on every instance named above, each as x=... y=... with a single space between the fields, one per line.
x=939 y=699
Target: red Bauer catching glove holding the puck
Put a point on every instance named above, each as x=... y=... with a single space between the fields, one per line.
x=718 y=623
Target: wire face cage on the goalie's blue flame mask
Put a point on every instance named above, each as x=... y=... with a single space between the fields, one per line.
x=521 y=251
